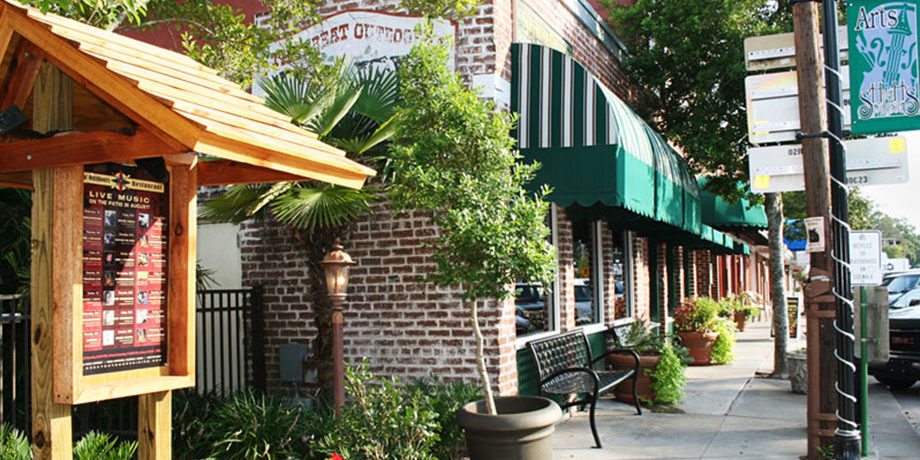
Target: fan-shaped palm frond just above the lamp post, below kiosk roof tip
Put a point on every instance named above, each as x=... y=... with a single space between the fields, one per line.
x=320 y=207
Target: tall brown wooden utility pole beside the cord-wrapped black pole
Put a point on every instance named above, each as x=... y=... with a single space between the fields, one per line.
x=818 y=300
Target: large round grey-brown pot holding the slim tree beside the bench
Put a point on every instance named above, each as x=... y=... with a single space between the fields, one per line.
x=522 y=430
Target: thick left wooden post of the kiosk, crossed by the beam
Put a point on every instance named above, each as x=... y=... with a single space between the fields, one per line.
x=56 y=284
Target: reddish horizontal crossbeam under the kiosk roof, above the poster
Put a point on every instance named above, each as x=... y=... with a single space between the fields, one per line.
x=79 y=149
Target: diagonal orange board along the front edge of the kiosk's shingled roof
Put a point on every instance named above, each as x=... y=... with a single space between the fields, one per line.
x=113 y=89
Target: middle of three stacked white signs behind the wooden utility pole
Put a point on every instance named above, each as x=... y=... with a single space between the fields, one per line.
x=773 y=106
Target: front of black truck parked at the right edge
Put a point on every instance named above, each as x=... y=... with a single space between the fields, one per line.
x=903 y=367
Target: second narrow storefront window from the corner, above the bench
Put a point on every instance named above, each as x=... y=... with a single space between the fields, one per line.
x=585 y=249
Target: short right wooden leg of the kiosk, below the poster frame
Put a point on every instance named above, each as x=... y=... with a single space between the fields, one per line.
x=154 y=426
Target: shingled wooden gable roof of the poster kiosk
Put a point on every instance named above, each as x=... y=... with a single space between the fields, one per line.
x=167 y=101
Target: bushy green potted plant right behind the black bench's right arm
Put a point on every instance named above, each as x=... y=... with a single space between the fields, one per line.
x=653 y=382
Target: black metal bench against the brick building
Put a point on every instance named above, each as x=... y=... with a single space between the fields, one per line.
x=565 y=367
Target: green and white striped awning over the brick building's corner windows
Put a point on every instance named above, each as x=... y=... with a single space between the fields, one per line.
x=594 y=149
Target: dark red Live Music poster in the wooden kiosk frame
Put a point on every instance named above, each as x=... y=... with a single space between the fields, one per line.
x=125 y=215
